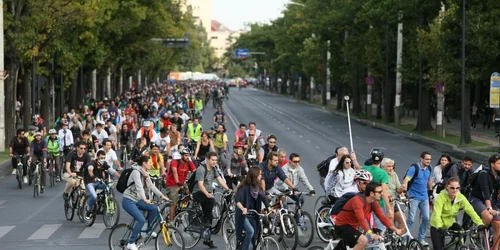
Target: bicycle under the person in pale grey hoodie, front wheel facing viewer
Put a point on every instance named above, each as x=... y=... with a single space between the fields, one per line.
x=305 y=228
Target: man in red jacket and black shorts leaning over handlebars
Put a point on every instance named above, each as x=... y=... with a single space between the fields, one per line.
x=354 y=214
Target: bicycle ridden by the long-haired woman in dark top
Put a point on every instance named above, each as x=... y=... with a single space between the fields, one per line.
x=264 y=241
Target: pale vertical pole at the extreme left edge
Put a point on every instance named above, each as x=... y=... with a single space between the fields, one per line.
x=2 y=78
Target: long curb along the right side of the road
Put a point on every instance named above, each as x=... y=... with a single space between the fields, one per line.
x=453 y=150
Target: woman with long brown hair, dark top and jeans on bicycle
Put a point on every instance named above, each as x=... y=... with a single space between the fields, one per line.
x=249 y=195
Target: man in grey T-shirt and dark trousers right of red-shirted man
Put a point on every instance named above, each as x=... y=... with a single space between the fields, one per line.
x=202 y=192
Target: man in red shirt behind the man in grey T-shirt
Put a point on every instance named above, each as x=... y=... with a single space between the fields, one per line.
x=176 y=177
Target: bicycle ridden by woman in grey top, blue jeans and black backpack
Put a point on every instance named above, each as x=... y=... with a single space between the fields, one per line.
x=166 y=234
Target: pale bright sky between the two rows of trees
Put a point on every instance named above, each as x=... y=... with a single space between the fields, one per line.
x=235 y=13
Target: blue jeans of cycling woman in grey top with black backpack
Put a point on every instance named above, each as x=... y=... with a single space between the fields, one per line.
x=134 y=209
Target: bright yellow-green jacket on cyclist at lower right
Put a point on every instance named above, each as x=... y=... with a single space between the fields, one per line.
x=445 y=212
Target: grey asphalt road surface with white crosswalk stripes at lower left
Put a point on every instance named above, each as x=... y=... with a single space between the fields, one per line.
x=312 y=132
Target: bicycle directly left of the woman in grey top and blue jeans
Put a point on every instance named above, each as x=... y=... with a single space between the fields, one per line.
x=105 y=204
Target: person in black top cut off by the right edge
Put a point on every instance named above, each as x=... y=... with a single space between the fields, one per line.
x=482 y=193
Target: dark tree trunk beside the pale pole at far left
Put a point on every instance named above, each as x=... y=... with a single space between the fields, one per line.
x=10 y=100
